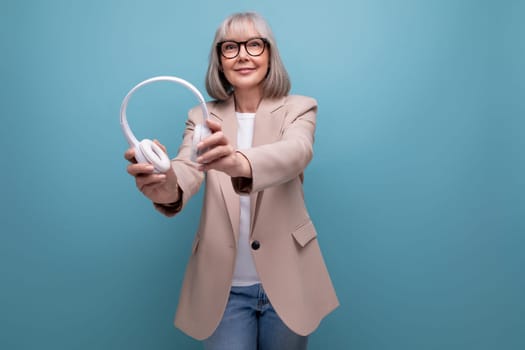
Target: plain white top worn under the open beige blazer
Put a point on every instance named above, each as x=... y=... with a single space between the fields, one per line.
x=245 y=273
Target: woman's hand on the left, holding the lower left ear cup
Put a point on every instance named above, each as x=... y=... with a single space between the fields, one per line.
x=160 y=188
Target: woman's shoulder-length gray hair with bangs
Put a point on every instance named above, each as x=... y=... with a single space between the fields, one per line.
x=276 y=84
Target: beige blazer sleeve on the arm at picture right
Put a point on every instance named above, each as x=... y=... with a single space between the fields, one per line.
x=281 y=161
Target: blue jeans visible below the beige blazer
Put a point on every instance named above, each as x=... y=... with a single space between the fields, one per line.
x=250 y=323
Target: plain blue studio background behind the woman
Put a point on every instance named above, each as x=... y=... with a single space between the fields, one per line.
x=416 y=187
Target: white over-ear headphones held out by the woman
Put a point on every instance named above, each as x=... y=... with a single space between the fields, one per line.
x=146 y=151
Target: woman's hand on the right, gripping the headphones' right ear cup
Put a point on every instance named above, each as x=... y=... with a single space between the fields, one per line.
x=220 y=154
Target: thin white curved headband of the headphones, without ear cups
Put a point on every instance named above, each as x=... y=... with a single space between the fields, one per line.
x=132 y=140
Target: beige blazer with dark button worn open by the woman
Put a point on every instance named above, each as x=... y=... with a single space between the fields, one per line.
x=288 y=261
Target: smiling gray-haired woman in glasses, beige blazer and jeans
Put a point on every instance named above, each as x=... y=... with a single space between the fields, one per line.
x=256 y=278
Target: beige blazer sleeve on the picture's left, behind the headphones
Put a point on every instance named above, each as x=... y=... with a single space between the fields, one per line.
x=189 y=178
